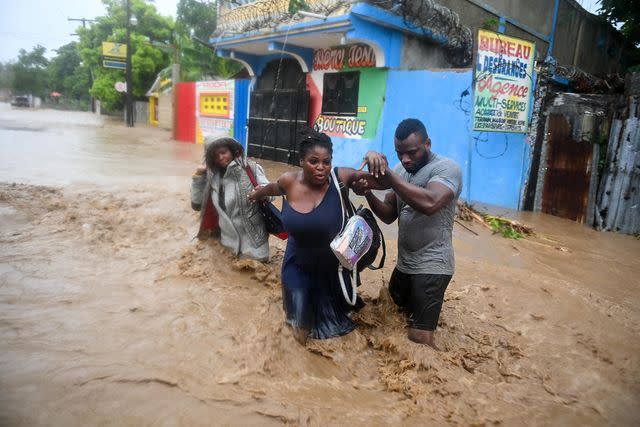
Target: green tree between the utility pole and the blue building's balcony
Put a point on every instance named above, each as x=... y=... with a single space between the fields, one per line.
x=198 y=62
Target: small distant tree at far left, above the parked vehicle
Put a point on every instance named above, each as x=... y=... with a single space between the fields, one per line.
x=29 y=72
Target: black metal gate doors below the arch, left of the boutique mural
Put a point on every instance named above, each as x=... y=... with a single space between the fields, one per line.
x=275 y=117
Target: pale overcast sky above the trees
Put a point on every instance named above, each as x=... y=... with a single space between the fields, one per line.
x=26 y=23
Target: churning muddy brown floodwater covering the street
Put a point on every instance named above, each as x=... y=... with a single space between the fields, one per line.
x=111 y=314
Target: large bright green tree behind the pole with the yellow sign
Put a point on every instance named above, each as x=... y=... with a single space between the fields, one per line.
x=147 y=60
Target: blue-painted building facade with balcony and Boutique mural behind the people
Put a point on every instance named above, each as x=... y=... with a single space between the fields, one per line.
x=354 y=70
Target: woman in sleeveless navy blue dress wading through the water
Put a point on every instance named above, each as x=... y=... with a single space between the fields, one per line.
x=312 y=215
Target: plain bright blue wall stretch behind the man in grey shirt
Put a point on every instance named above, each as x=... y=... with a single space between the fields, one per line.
x=493 y=164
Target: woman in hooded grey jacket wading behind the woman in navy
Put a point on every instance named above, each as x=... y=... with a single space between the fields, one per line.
x=224 y=185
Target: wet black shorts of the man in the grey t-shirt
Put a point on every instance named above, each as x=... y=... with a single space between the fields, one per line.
x=420 y=296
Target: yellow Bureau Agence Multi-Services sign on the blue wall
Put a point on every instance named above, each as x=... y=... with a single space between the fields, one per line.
x=503 y=82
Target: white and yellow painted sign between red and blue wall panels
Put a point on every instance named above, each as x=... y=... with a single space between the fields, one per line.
x=214 y=108
